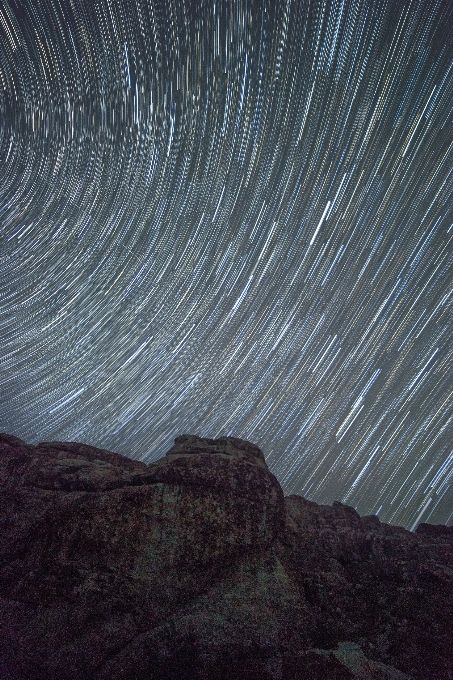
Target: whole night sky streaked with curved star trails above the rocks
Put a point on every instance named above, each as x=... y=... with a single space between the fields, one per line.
x=234 y=218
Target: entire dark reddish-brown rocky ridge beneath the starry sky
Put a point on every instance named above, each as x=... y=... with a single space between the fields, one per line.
x=196 y=567
